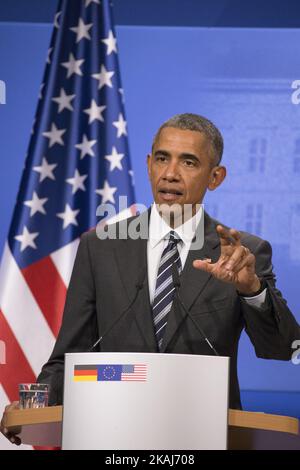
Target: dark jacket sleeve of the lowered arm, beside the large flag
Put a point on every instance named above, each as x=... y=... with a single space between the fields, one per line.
x=79 y=329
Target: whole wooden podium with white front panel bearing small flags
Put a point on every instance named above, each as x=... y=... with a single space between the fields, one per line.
x=121 y=392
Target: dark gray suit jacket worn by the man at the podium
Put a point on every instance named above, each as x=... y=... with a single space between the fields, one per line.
x=103 y=284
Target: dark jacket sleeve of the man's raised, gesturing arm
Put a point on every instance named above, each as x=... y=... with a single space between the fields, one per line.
x=272 y=327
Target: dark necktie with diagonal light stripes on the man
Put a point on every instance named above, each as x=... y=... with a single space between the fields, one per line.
x=164 y=289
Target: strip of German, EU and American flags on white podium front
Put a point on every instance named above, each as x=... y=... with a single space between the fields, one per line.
x=110 y=373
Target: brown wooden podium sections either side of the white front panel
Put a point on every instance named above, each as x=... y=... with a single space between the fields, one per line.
x=247 y=430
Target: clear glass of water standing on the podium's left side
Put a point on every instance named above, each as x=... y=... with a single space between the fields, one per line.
x=33 y=395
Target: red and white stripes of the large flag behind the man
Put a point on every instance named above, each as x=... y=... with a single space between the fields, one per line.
x=31 y=308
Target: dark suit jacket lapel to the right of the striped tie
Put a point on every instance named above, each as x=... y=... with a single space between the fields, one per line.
x=193 y=281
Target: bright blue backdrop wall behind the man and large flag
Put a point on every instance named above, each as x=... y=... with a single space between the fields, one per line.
x=239 y=78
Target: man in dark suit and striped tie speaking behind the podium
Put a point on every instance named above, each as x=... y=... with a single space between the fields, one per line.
x=226 y=283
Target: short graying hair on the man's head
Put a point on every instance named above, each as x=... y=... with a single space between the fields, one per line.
x=195 y=122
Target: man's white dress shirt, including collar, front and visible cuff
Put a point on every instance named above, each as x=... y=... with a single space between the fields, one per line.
x=158 y=240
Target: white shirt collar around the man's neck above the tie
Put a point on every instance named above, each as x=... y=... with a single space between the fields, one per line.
x=159 y=229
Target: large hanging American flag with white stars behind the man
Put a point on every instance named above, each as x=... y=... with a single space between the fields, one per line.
x=77 y=159
